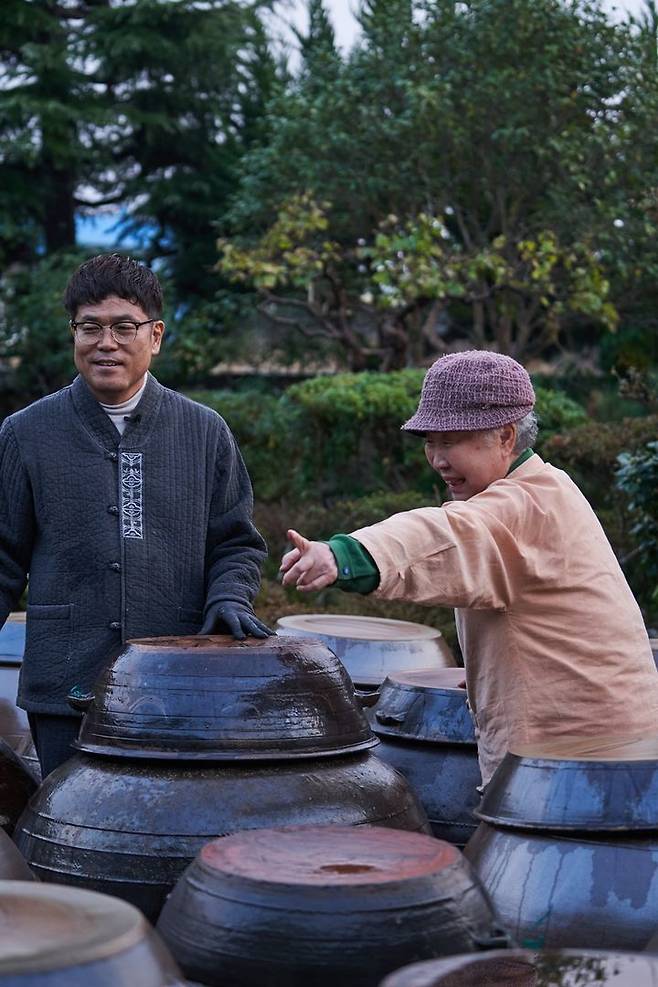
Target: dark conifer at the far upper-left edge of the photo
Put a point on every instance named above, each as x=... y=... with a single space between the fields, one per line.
x=47 y=102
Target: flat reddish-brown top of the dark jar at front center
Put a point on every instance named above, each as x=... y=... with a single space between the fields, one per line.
x=324 y=856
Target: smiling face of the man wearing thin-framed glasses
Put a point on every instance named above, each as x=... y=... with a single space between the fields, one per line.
x=114 y=371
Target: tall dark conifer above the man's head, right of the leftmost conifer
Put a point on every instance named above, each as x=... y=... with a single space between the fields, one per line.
x=188 y=83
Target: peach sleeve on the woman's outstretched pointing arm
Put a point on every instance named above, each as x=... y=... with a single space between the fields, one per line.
x=439 y=556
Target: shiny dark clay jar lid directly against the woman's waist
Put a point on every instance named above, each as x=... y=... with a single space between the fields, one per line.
x=424 y=705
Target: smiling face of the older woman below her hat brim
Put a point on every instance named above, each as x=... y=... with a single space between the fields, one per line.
x=469 y=461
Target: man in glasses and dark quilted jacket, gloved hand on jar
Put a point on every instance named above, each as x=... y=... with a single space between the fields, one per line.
x=128 y=505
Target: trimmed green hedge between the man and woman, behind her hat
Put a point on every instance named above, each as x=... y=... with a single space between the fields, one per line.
x=339 y=437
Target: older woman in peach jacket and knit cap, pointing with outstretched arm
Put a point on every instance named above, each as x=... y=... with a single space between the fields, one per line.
x=553 y=640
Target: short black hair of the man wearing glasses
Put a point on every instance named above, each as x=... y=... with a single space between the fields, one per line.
x=114 y=274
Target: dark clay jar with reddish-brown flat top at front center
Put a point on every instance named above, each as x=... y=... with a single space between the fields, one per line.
x=322 y=906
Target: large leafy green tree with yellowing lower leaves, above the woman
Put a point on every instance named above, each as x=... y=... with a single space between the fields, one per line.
x=523 y=132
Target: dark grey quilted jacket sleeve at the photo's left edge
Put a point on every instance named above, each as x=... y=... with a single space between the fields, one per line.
x=17 y=522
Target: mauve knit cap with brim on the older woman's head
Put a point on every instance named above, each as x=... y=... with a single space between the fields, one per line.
x=472 y=390
